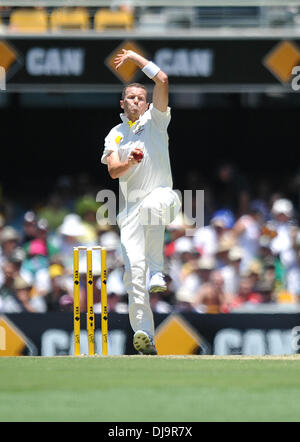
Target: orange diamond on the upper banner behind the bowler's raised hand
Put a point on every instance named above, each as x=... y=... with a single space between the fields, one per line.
x=127 y=71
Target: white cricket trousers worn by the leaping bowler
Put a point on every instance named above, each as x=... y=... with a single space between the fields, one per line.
x=142 y=242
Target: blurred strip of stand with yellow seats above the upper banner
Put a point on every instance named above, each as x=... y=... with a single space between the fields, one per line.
x=129 y=15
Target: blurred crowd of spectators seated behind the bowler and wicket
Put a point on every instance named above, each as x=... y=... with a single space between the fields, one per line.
x=246 y=254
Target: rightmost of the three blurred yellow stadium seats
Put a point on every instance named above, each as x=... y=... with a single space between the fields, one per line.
x=107 y=19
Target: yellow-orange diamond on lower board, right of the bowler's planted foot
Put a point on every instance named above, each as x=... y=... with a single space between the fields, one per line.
x=175 y=336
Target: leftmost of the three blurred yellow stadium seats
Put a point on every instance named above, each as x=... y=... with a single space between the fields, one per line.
x=29 y=20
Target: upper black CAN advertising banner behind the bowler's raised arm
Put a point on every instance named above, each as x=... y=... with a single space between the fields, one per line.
x=85 y=64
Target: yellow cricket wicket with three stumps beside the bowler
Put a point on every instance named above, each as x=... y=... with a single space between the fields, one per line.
x=90 y=315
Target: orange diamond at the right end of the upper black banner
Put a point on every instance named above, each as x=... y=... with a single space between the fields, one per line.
x=281 y=60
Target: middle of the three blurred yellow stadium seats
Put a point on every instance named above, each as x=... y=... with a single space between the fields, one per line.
x=67 y=18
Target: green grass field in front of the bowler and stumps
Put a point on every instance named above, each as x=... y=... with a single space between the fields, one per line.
x=150 y=389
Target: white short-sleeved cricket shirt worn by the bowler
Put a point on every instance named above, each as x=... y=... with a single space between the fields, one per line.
x=150 y=134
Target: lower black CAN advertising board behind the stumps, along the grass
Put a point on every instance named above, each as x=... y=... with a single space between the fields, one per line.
x=51 y=334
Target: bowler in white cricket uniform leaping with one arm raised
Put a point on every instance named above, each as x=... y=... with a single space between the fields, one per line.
x=149 y=203
